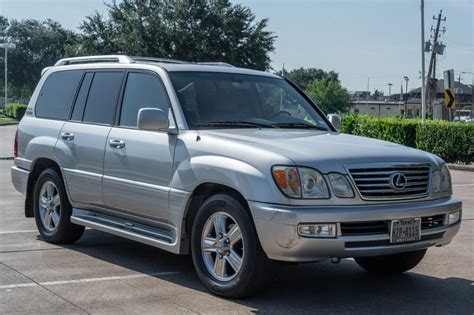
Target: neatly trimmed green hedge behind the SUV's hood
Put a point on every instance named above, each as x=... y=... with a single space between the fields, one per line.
x=451 y=141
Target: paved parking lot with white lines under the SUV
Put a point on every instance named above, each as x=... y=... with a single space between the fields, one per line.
x=103 y=273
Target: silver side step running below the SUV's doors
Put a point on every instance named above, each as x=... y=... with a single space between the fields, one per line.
x=138 y=232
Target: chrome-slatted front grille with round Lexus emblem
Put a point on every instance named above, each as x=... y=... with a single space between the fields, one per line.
x=378 y=182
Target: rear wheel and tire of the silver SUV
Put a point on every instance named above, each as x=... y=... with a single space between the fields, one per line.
x=53 y=211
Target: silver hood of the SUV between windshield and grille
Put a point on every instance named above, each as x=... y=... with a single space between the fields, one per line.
x=326 y=151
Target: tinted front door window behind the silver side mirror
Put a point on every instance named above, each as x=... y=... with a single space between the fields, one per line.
x=142 y=90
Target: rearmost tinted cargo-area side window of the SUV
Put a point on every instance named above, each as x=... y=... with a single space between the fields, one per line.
x=57 y=94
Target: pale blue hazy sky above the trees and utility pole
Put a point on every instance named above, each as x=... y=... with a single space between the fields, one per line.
x=365 y=41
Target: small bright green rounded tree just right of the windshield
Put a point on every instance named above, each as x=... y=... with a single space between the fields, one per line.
x=329 y=95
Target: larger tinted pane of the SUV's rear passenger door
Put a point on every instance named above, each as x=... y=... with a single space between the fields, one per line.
x=103 y=95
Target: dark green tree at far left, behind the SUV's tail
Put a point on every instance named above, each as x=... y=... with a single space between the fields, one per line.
x=38 y=45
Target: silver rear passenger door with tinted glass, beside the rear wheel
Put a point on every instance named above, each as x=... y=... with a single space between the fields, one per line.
x=80 y=148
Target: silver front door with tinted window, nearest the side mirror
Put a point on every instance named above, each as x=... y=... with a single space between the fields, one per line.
x=138 y=164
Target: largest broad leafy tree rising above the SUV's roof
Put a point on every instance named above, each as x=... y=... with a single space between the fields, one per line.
x=194 y=30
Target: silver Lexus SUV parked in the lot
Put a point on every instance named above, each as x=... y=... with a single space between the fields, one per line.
x=235 y=166
